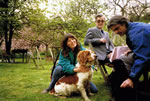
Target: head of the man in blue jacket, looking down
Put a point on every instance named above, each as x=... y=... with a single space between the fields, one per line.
x=118 y=24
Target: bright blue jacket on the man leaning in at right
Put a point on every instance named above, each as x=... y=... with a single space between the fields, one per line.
x=138 y=40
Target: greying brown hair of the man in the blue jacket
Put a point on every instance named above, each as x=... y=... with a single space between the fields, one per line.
x=117 y=19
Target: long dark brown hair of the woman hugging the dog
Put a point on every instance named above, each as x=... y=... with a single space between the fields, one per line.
x=65 y=48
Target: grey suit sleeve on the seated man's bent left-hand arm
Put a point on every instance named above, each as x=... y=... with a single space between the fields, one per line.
x=89 y=38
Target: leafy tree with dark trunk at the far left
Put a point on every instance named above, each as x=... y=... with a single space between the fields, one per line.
x=13 y=15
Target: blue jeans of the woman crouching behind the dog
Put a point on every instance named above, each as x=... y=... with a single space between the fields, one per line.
x=58 y=73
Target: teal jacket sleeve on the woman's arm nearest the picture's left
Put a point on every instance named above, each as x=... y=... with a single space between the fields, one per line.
x=65 y=62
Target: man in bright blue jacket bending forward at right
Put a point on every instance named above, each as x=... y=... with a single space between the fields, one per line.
x=138 y=40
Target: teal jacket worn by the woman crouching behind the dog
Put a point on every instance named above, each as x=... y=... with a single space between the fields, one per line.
x=68 y=63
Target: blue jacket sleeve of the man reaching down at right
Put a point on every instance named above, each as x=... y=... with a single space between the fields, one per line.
x=141 y=49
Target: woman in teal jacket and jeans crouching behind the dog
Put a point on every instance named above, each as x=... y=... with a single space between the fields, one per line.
x=67 y=61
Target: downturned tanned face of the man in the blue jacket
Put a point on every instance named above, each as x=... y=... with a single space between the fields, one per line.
x=119 y=29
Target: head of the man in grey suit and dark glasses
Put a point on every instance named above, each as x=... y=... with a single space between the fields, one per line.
x=99 y=20
